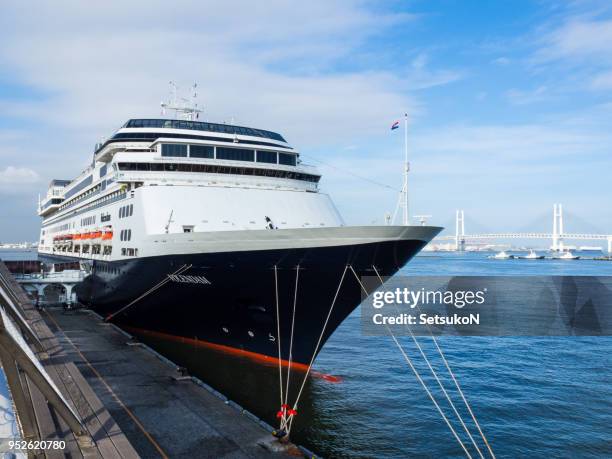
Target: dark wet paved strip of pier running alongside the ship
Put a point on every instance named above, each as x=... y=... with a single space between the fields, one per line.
x=160 y=413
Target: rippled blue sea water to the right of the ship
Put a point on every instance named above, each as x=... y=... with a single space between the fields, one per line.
x=533 y=396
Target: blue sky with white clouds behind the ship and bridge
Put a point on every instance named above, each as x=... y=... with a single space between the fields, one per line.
x=510 y=103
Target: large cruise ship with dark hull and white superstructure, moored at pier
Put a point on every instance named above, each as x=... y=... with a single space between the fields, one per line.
x=216 y=235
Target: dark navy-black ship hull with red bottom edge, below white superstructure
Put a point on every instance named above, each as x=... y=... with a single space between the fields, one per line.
x=227 y=301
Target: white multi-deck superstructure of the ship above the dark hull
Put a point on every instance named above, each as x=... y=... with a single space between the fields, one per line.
x=159 y=176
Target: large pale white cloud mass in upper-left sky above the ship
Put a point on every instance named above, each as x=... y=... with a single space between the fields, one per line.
x=266 y=64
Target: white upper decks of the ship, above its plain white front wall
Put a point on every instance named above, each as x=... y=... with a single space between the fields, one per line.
x=152 y=151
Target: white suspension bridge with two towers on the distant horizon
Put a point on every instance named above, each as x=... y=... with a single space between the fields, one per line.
x=557 y=237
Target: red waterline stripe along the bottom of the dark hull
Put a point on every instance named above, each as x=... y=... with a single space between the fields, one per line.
x=254 y=356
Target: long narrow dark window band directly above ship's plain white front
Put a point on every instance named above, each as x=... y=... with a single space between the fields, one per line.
x=213 y=169
